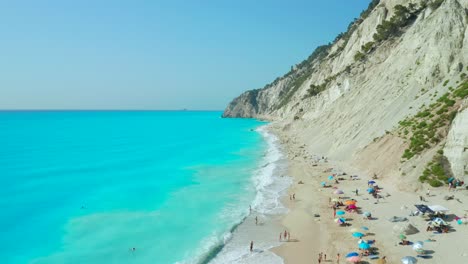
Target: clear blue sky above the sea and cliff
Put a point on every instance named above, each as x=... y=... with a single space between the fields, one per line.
x=172 y=54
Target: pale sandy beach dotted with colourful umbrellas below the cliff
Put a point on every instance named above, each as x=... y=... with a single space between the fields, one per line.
x=313 y=230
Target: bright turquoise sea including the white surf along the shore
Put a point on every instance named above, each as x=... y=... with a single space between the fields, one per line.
x=88 y=186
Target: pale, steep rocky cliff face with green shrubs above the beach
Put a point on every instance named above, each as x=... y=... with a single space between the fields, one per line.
x=353 y=91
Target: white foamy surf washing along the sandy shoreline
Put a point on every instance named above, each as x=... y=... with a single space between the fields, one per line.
x=270 y=185
